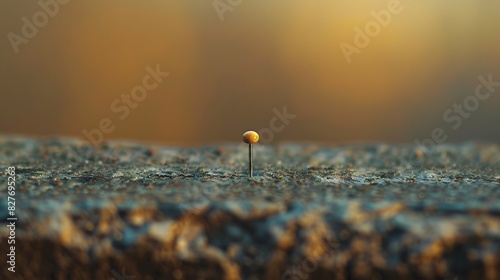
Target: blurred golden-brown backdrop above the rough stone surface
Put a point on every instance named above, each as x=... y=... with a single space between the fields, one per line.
x=230 y=69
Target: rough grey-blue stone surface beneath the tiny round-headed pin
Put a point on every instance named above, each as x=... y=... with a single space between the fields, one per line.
x=134 y=211
